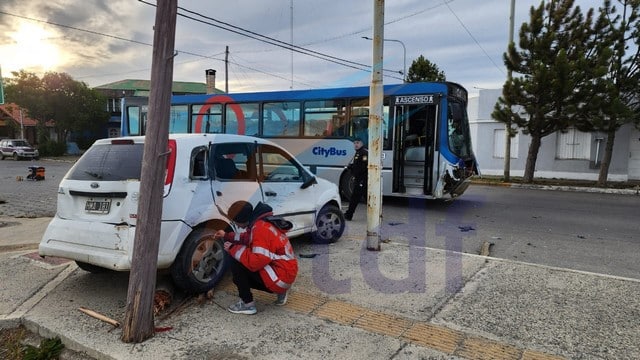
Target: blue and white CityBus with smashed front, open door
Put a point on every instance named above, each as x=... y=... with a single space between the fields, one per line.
x=426 y=142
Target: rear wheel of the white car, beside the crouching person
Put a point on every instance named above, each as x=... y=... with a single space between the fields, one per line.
x=201 y=262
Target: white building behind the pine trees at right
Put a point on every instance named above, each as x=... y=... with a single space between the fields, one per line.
x=568 y=155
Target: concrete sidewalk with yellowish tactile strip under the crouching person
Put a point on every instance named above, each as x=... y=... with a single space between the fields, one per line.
x=404 y=302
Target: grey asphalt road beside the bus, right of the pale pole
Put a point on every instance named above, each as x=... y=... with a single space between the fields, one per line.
x=595 y=232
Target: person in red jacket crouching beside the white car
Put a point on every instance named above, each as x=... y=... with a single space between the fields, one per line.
x=263 y=258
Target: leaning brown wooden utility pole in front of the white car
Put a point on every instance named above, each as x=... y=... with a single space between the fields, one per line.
x=138 y=324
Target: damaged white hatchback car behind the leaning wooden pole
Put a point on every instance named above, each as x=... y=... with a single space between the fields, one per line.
x=98 y=199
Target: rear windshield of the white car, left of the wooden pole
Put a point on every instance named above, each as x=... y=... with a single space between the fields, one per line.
x=109 y=162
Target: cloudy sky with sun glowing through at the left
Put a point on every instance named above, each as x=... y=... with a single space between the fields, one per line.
x=99 y=42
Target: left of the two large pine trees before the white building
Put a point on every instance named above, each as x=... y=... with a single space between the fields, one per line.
x=550 y=70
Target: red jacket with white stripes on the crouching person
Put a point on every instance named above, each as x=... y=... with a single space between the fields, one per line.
x=268 y=252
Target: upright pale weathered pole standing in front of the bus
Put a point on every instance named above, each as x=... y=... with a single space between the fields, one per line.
x=376 y=95
